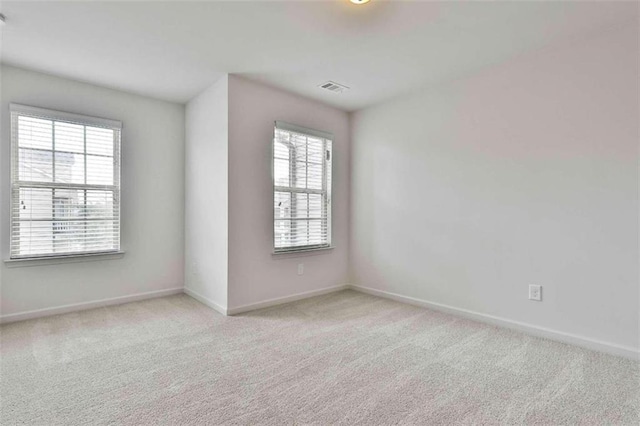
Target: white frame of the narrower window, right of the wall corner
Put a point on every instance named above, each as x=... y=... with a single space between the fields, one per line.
x=327 y=189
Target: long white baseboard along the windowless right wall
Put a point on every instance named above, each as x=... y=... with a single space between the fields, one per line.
x=559 y=336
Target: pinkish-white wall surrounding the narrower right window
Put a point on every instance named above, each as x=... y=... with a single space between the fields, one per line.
x=255 y=274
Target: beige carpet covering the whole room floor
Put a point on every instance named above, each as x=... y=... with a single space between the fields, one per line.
x=344 y=358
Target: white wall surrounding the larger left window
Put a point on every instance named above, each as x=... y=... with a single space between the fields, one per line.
x=152 y=197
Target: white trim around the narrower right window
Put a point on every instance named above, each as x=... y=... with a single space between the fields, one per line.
x=281 y=125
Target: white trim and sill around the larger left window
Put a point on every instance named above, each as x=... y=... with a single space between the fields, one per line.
x=68 y=117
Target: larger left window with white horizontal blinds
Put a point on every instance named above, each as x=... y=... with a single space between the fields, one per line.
x=65 y=183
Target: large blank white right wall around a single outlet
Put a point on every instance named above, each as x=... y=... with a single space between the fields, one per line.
x=526 y=173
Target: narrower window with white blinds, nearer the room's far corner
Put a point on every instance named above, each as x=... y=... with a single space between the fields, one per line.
x=301 y=188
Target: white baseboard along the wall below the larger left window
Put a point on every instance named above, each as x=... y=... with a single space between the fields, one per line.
x=46 y=312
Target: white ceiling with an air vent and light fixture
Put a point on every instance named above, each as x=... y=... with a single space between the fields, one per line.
x=173 y=50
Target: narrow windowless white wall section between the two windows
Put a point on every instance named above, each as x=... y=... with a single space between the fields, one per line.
x=206 y=199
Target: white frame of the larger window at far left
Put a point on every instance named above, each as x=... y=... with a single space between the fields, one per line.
x=17 y=110
